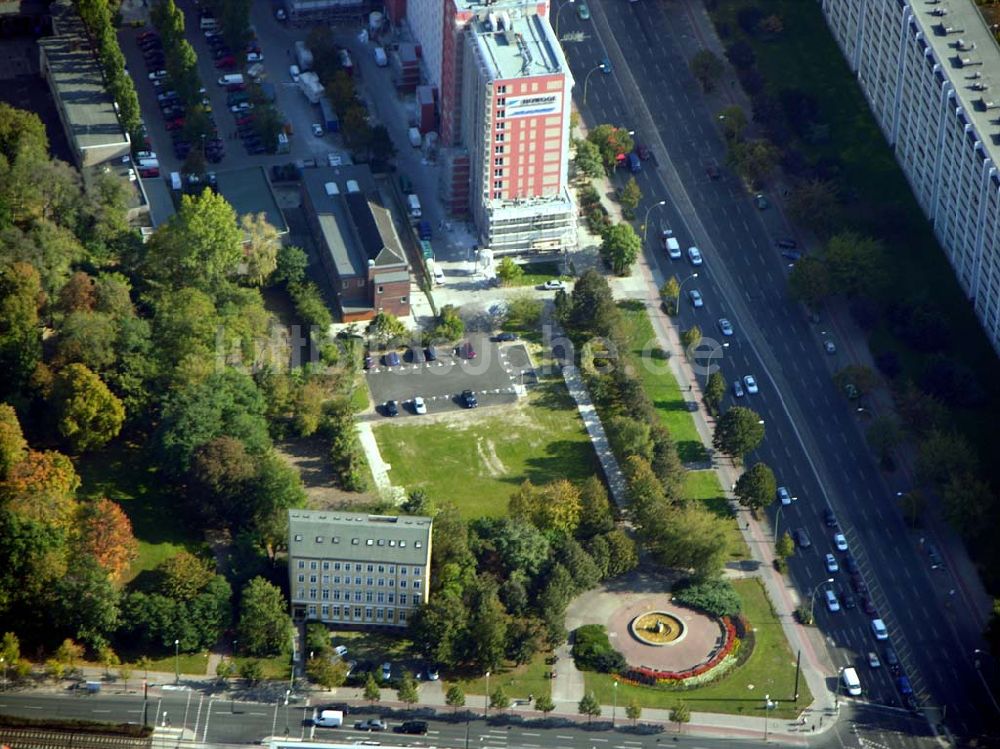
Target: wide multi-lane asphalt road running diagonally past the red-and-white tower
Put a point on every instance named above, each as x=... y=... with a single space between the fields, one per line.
x=815 y=439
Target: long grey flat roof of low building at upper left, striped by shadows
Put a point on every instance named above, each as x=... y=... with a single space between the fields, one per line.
x=79 y=82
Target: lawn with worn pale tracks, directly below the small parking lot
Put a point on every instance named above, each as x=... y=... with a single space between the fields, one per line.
x=477 y=461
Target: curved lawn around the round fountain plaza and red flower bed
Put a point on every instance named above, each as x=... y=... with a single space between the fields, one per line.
x=770 y=670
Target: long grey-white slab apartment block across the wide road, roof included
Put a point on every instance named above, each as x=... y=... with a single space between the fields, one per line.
x=930 y=70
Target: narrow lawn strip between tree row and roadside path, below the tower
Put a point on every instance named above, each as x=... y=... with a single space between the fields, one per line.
x=659 y=382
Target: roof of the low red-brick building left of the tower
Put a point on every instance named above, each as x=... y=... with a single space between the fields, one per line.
x=356 y=226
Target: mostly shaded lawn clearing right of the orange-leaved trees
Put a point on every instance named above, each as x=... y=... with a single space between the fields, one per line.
x=122 y=473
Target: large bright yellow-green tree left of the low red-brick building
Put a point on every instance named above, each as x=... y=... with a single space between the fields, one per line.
x=200 y=246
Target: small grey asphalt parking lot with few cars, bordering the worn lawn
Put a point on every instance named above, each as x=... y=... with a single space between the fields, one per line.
x=493 y=375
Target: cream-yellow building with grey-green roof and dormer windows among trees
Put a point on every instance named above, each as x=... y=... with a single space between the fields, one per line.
x=354 y=569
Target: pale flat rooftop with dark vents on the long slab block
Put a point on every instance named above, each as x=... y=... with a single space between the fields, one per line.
x=966 y=49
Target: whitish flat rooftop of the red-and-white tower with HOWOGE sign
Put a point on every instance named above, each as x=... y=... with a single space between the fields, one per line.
x=515 y=45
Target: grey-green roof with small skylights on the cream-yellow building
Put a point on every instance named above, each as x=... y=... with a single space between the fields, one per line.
x=355 y=536
